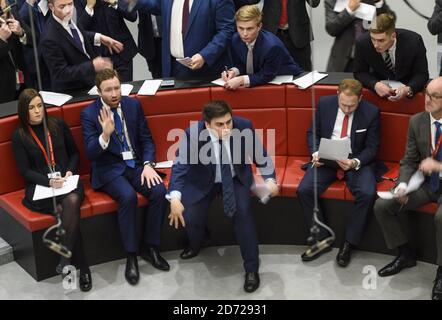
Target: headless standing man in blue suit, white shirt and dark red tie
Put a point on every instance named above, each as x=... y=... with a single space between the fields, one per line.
x=198 y=29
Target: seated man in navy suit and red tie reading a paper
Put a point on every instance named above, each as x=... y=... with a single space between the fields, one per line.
x=344 y=116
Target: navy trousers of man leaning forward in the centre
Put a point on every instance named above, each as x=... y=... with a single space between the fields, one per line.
x=195 y=216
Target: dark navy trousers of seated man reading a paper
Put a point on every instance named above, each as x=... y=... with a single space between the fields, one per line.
x=361 y=183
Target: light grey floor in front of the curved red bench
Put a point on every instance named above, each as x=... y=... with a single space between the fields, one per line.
x=217 y=274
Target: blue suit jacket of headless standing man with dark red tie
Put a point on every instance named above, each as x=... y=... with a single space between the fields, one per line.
x=210 y=28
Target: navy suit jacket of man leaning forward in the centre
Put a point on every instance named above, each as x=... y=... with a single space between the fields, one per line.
x=195 y=180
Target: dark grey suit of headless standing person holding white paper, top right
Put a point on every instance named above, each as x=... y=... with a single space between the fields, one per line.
x=341 y=26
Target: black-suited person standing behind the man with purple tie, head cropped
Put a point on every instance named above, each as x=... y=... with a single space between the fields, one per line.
x=107 y=17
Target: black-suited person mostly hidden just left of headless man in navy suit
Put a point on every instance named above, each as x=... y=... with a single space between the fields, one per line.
x=149 y=41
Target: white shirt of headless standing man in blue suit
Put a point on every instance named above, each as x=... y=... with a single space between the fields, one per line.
x=176 y=27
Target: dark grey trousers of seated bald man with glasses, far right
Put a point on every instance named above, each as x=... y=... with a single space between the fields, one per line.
x=388 y=211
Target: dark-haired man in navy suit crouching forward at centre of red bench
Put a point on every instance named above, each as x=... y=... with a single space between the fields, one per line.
x=230 y=144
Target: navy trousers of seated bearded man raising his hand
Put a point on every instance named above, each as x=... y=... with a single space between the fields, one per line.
x=123 y=189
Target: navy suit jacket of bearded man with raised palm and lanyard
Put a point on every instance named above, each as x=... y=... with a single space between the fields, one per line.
x=108 y=164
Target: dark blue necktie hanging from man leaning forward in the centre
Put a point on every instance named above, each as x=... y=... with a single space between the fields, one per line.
x=227 y=182
